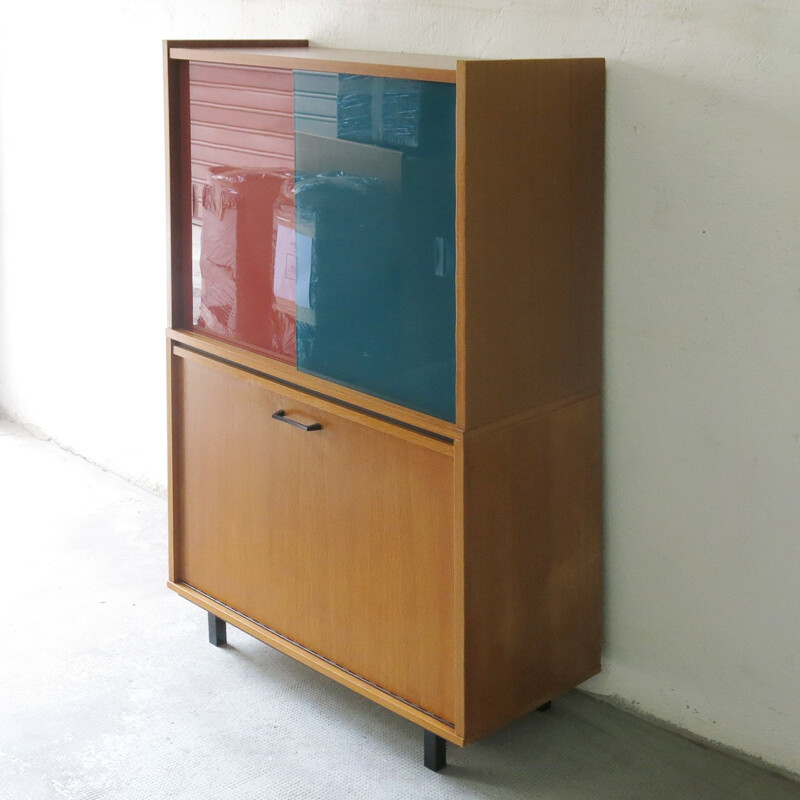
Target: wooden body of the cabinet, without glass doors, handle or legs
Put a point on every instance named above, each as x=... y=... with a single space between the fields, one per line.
x=449 y=571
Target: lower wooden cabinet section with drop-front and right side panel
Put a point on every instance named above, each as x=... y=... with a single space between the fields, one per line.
x=457 y=583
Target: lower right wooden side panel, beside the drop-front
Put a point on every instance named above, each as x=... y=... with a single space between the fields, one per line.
x=533 y=520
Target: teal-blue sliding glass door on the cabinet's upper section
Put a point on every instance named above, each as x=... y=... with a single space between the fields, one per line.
x=375 y=215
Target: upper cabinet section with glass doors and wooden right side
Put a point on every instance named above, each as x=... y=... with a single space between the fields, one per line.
x=419 y=230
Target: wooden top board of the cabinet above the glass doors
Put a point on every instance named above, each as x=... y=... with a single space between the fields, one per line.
x=318 y=59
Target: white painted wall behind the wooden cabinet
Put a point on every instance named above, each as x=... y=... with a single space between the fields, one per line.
x=703 y=295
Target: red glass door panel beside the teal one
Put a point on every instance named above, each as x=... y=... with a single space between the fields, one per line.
x=242 y=165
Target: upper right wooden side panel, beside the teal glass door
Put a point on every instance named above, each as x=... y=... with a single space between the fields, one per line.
x=531 y=196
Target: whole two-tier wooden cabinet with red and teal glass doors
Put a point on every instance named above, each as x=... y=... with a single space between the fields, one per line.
x=385 y=368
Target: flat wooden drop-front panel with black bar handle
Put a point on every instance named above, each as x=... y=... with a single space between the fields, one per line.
x=339 y=539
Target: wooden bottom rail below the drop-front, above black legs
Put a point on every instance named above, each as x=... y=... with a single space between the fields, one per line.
x=317 y=663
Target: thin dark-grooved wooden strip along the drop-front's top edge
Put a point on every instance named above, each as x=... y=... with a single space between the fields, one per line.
x=322 y=403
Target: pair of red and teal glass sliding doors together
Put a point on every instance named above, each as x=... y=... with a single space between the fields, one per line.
x=322 y=211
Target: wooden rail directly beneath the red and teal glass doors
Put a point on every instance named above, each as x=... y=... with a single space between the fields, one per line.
x=286 y=372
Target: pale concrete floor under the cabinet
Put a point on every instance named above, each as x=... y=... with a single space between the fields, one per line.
x=109 y=689
